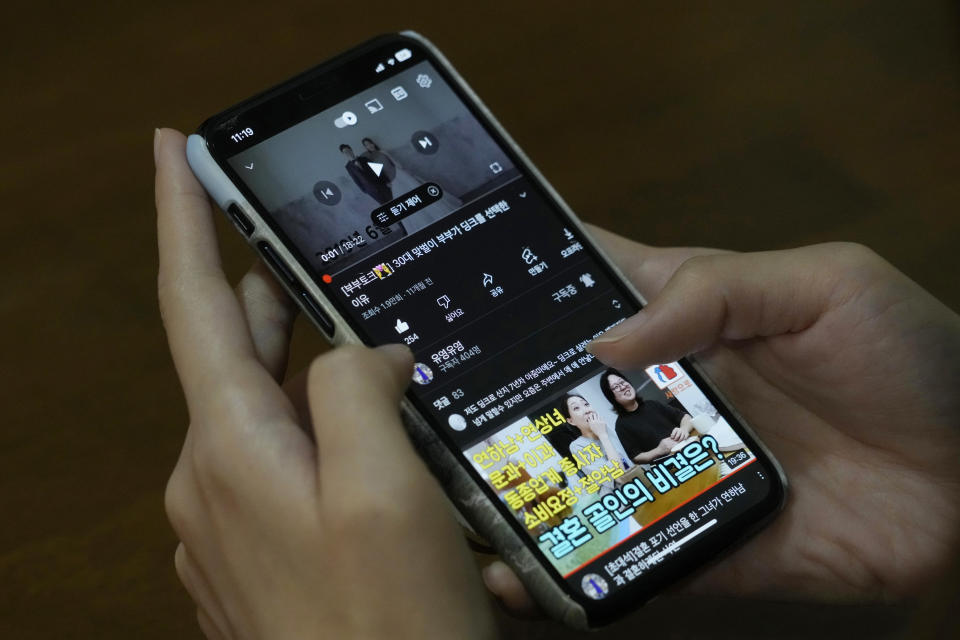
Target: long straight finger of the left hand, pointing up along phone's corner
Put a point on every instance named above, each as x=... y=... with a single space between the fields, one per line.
x=208 y=335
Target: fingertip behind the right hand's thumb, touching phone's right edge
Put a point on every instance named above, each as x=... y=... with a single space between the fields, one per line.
x=649 y=268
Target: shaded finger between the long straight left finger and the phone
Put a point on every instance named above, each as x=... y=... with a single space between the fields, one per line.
x=270 y=314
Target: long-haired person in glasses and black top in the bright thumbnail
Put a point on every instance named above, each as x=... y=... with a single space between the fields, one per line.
x=647 y=429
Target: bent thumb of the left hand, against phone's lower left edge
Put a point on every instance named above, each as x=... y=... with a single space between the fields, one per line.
x=354 y=396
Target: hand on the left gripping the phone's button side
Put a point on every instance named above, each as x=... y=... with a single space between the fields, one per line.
x=294 y=525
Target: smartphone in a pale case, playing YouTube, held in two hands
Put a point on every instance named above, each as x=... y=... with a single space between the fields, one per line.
x=394 y=208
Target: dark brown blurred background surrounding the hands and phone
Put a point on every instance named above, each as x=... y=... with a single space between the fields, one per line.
x=747 y=125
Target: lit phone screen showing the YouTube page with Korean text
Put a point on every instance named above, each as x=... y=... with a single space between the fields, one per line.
x=423 y=230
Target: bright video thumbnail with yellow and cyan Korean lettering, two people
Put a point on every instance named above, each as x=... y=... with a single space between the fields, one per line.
x=590 y=468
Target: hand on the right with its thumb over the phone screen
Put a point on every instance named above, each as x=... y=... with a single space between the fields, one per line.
x=849 y=373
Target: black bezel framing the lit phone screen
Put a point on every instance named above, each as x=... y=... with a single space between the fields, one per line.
x=350 y=73
